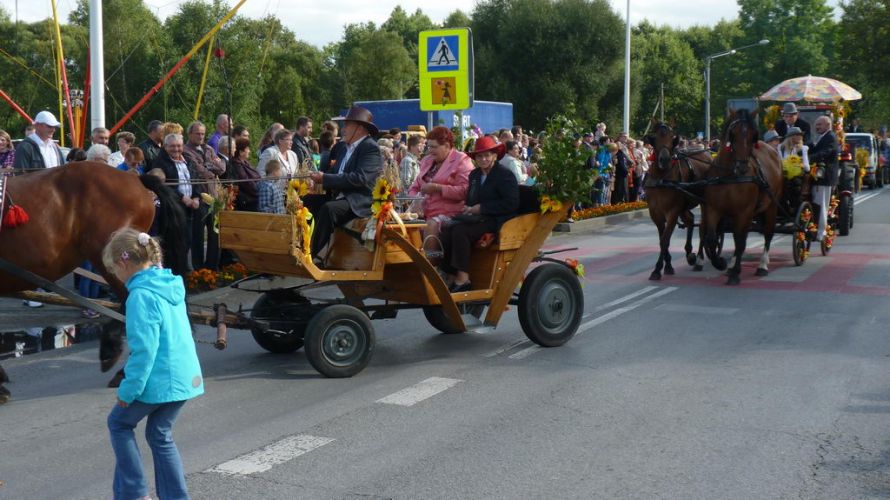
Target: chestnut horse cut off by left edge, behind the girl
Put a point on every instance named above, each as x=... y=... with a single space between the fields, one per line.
x=73 y=210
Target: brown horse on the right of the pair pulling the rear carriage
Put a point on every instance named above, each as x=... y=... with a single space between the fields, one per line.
x=745 y=181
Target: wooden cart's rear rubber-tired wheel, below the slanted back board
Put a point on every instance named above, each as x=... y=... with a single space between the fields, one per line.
x=550 y=305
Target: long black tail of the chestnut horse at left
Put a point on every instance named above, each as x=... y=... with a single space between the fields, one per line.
x=169 y=224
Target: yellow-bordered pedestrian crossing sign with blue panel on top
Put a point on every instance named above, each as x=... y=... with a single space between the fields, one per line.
x=445 y=62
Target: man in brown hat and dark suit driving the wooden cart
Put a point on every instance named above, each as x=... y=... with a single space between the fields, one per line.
x=350 y=180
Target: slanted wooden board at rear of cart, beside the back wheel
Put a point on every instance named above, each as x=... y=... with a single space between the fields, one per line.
x=521 y=259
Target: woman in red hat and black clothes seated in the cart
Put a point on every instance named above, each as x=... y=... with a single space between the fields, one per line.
x=492 y=199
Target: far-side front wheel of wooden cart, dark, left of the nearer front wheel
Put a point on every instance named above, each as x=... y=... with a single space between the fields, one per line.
x=283 y=311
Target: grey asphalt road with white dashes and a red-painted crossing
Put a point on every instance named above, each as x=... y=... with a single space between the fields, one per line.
x=683 y=388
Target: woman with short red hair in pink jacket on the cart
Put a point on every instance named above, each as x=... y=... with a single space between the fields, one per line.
x=442 y=180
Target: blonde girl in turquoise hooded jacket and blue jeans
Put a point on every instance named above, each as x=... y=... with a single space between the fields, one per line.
x=162 y=372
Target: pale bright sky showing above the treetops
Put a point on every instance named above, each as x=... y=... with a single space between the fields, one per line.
x=320 y=23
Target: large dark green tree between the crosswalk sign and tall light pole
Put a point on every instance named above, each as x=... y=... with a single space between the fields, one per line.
x=547 y=55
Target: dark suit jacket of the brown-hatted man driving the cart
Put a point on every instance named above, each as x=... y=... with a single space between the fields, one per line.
x=358 y=177
